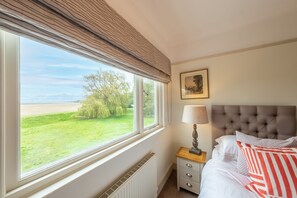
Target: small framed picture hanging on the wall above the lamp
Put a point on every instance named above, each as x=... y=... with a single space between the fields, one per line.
x=194 y=84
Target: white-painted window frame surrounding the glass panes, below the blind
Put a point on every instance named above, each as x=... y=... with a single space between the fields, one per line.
x=12 y=184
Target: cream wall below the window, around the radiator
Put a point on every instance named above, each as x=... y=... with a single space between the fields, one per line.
x=95 y=181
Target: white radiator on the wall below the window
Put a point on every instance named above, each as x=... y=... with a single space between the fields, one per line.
x=138 y=182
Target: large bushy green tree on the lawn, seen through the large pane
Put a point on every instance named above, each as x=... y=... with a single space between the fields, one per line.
x=108 y=95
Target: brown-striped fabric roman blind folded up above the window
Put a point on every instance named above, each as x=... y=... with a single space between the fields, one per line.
x=88 y=27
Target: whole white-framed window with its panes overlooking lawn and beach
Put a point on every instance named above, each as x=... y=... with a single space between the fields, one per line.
x=63 y=108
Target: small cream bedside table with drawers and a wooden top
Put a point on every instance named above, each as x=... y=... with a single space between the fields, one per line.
x=189 y=168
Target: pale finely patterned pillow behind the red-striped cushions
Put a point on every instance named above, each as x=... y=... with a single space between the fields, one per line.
x=241 y=162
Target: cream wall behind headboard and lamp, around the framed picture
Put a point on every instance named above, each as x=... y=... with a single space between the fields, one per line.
x=266 y=76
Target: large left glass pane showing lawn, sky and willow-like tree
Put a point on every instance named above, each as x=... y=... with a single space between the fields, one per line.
x=69 y=104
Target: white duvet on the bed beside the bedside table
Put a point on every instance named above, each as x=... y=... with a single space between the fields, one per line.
x=220 y=179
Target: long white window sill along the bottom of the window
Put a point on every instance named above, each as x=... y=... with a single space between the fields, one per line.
x=47 y=187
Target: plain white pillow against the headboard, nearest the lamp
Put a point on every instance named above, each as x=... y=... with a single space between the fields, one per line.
x=227 y=148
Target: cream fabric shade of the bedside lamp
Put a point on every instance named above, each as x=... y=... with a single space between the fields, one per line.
x=195 y=114
